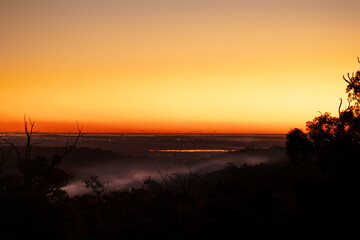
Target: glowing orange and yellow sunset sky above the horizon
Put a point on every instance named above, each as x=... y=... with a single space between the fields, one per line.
x=259 y=66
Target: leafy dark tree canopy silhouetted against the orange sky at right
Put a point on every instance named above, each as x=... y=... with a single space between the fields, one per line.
x=331 y=143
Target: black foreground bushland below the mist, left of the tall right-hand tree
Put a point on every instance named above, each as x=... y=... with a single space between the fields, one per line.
x=246 y=199
